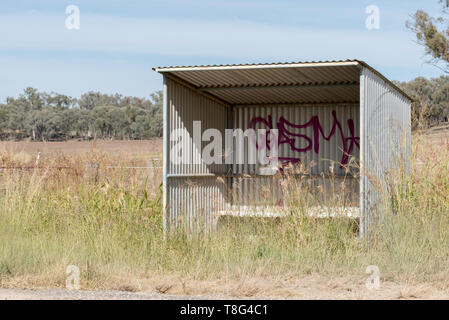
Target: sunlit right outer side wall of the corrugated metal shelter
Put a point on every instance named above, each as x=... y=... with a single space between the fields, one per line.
x=385 y=138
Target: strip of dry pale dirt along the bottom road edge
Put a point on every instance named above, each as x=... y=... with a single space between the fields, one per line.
x=311 y=287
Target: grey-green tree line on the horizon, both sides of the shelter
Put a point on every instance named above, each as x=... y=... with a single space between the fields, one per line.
x=55 y=117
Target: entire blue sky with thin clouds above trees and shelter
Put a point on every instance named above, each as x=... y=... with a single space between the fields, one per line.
x=120 y=41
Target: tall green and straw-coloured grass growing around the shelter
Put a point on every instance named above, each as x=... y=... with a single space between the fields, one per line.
x=112 y=228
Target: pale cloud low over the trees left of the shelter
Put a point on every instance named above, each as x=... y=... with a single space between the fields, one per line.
x=76 y=76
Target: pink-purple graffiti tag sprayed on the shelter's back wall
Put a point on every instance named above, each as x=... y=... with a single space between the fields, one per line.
x=288 y=137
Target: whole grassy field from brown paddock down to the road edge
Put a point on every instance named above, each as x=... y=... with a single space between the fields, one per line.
x=109 y=224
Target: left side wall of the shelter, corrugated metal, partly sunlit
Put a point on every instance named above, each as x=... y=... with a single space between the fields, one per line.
x=192 y=191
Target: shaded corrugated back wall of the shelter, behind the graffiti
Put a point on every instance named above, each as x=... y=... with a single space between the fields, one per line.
x=259 y=190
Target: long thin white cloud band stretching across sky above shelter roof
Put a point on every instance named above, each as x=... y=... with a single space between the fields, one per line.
x=182 y=37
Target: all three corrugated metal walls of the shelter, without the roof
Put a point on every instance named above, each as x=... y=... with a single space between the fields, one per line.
x=195 y=192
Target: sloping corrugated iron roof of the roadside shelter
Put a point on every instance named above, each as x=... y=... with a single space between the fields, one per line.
x=281 y=82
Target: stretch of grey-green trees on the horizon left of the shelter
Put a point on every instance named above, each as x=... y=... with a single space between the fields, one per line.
x=53 y=116
